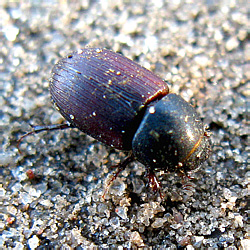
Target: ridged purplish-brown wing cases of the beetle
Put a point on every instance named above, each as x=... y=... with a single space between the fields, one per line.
x=104 y=94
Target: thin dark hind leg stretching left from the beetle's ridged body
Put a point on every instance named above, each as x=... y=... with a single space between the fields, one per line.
x=38 y=129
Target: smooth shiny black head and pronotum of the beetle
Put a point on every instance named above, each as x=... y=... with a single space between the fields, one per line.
x=171 y=136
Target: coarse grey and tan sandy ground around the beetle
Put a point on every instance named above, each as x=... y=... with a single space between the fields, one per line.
x=51 y=193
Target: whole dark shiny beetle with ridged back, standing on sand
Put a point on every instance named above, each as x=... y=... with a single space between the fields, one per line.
x=127 y=107
